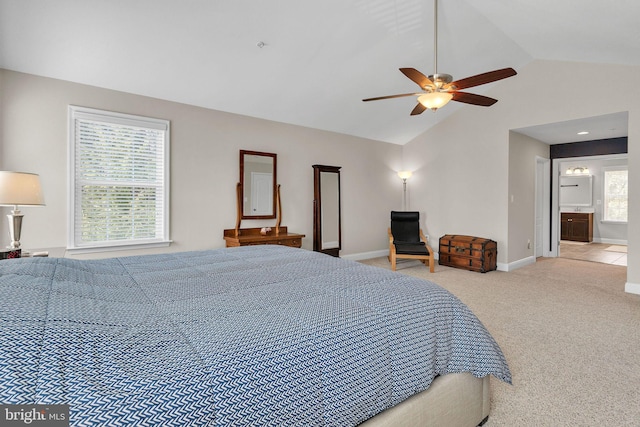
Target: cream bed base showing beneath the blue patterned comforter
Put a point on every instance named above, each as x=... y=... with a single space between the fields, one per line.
x=451 y=400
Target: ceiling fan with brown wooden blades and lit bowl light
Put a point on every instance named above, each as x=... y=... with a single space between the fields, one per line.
x=438 y=89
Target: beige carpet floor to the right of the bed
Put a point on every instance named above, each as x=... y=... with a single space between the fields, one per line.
x=570 y=333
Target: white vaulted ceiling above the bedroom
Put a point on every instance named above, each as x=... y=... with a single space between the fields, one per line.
x=307 y=63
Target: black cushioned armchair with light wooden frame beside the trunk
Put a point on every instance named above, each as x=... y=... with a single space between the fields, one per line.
x=406 y=239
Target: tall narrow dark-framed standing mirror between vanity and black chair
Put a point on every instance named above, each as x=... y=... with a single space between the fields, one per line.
x=327 y=230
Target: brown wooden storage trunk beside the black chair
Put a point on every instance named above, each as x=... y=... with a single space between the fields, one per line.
x=468 y=252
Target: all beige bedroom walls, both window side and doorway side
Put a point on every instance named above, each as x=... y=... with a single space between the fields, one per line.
x=462 y=169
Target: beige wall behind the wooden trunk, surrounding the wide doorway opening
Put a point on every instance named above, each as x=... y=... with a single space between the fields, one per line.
x=461 y=166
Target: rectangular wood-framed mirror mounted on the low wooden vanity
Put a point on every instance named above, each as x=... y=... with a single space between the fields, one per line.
x=258 y=183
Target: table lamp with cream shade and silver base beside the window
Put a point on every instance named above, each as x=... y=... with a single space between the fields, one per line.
x=19 y=189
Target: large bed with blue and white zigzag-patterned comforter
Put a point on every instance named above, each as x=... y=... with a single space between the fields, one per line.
x=256 y=336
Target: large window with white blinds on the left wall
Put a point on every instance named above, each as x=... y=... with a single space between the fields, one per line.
x=119 y=175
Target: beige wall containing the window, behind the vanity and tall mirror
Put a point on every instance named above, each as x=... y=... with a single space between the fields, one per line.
x=204 y=166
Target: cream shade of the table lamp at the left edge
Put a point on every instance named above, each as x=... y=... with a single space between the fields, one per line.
x=20 y=189
